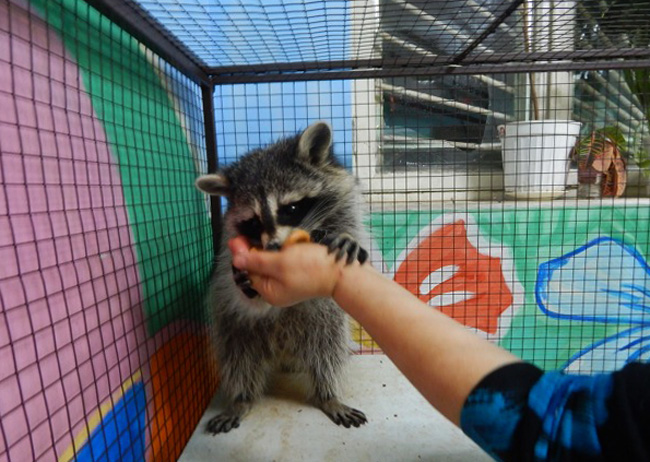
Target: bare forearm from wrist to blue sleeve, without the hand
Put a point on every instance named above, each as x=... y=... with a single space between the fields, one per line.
x=441 y=358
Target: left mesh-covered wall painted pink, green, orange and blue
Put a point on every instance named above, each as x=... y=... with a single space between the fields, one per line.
x=105 y=246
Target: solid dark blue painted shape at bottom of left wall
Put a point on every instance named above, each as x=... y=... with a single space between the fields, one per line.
x=121 y=434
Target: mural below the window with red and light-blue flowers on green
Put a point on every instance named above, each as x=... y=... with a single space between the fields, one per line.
x=561 y=284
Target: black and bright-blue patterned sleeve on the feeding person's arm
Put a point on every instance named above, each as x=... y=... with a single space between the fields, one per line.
x=520 y=413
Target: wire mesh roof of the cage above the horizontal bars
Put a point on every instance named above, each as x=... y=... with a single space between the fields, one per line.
x=253 y=32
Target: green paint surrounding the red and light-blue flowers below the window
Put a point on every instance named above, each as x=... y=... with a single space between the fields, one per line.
x=532 y=235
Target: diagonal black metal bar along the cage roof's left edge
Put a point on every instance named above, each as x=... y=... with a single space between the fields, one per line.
x=138 y=22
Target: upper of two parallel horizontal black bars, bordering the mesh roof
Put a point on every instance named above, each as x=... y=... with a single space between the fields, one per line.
x=406 y=65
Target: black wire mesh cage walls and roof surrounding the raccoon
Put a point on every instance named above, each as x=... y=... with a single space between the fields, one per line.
x=502 y=149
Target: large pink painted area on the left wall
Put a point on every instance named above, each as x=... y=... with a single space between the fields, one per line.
x=71 y=329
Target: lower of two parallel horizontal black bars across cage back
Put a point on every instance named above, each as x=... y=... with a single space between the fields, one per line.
x=497 y=68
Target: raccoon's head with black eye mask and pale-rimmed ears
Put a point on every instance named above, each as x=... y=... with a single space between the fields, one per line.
x=294 y=183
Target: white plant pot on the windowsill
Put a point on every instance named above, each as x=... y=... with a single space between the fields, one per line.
x=536 y=157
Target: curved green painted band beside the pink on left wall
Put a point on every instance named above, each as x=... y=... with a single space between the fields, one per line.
x=167 y=215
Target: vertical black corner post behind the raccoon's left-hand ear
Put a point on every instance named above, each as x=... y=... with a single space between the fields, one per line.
x=207 y=95
